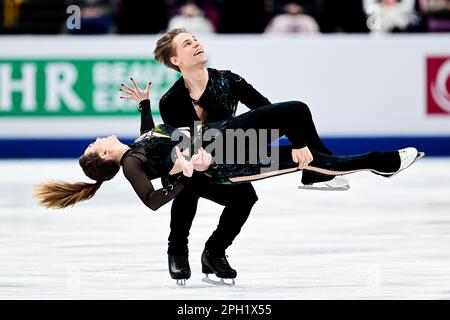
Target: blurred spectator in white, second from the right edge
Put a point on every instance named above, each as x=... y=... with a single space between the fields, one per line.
x=389 y=15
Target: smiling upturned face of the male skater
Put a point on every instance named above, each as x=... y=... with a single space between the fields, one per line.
x=188 y=51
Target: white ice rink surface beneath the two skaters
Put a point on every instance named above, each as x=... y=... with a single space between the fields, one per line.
x=382 y=239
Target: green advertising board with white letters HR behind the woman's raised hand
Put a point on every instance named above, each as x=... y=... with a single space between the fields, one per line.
x=77 y=87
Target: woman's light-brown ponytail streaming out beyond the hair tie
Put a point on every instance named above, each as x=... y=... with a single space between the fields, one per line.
x=59 y=194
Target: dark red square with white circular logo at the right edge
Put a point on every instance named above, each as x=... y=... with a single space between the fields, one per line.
x=438 y=85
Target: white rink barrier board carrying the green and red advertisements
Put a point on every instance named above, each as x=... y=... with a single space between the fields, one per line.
x=355 y=85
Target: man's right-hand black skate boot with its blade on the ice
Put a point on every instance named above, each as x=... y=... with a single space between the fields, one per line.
x=217 y=263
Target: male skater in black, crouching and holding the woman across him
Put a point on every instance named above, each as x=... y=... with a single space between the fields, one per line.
x=206 y=94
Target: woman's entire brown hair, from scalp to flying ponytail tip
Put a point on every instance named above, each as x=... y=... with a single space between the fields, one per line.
x=59 y=194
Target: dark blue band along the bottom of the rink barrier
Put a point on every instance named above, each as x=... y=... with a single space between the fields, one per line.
x=70 y=148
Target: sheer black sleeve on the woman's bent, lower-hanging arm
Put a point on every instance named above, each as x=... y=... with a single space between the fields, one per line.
x=154 y=199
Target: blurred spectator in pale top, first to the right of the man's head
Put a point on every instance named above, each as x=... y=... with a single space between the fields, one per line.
x=293 y=20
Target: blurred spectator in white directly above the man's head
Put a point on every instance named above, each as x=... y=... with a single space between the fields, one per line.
x=192 y=18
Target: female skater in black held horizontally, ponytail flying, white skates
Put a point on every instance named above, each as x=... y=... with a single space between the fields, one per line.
x=150 y=157
